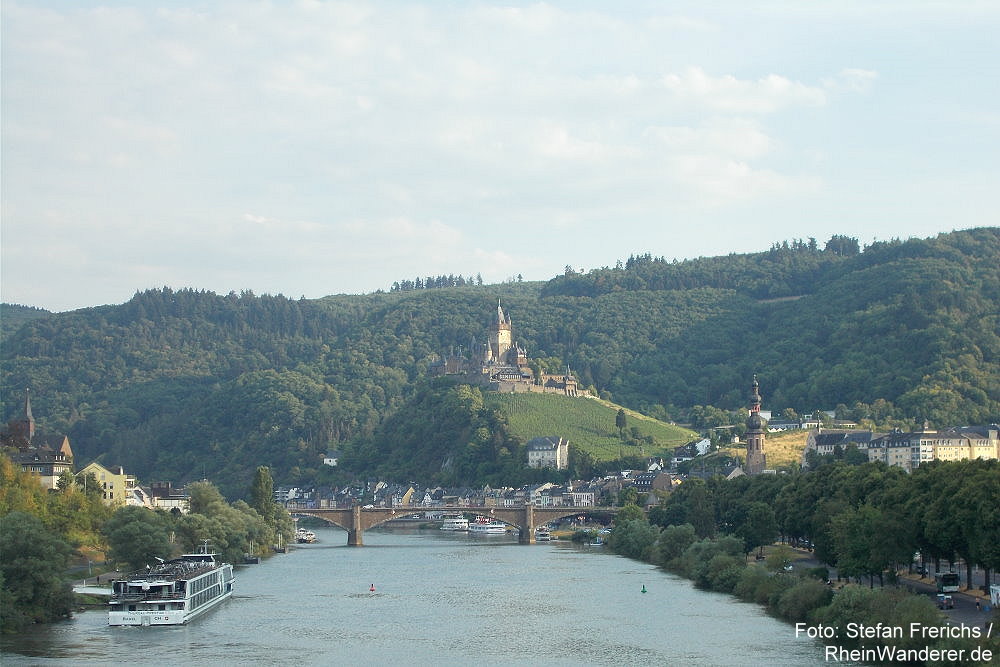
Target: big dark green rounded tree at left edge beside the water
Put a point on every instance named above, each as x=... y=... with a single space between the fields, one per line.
x=33 y=561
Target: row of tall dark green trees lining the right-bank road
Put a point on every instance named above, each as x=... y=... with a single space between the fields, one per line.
x=866 y=520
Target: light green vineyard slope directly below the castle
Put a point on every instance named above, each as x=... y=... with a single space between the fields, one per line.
x=588 y=424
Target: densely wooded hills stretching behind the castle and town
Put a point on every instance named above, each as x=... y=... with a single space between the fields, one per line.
x=185 y=384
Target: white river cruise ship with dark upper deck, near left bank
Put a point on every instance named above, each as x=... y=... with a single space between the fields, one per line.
x=171 y=593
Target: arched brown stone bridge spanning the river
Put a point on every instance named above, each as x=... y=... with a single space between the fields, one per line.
x=356 y=520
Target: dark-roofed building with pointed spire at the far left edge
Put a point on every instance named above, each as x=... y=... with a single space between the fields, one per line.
x=45 y=456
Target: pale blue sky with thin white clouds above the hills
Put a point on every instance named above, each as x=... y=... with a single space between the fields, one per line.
x=312 y=148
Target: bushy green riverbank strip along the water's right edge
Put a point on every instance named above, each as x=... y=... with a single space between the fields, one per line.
x=851 y=617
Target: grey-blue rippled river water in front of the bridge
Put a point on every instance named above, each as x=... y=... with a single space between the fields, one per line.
x=440 y=599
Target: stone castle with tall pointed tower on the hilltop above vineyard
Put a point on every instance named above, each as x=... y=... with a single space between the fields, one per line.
x=500 y=364
